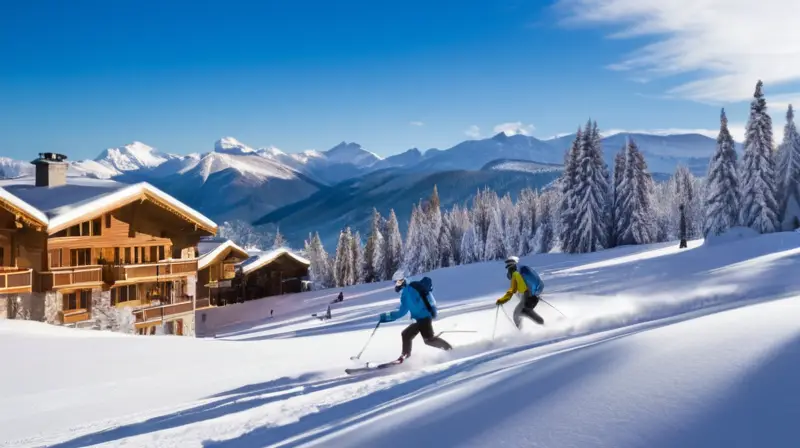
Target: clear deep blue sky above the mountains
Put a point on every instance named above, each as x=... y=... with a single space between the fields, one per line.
x=77 y=77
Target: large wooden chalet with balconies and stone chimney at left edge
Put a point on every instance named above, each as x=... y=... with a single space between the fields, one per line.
x=73 y=246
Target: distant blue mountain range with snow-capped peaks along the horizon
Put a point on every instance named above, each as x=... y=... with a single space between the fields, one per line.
x=237 y=181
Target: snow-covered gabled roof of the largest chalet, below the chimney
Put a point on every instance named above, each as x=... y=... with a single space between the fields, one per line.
x=62 y=205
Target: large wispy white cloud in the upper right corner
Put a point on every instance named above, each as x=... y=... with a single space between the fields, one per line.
x=727 y=44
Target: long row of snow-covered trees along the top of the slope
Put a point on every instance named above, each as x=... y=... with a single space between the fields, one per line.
x=589 y=208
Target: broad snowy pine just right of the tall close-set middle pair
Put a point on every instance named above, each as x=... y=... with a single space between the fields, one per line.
x=637 y=201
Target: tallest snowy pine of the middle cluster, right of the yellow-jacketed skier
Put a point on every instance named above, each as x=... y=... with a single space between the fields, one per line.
x=590 y=195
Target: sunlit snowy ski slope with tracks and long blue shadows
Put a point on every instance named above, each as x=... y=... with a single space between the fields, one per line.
x=661 y=348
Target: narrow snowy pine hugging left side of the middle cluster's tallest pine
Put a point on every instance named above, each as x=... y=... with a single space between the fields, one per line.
x=568 y=207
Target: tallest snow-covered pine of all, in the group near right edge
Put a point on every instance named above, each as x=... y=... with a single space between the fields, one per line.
x=759 y=207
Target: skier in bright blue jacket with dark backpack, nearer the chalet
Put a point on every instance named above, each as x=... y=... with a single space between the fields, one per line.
x=415 y=298
